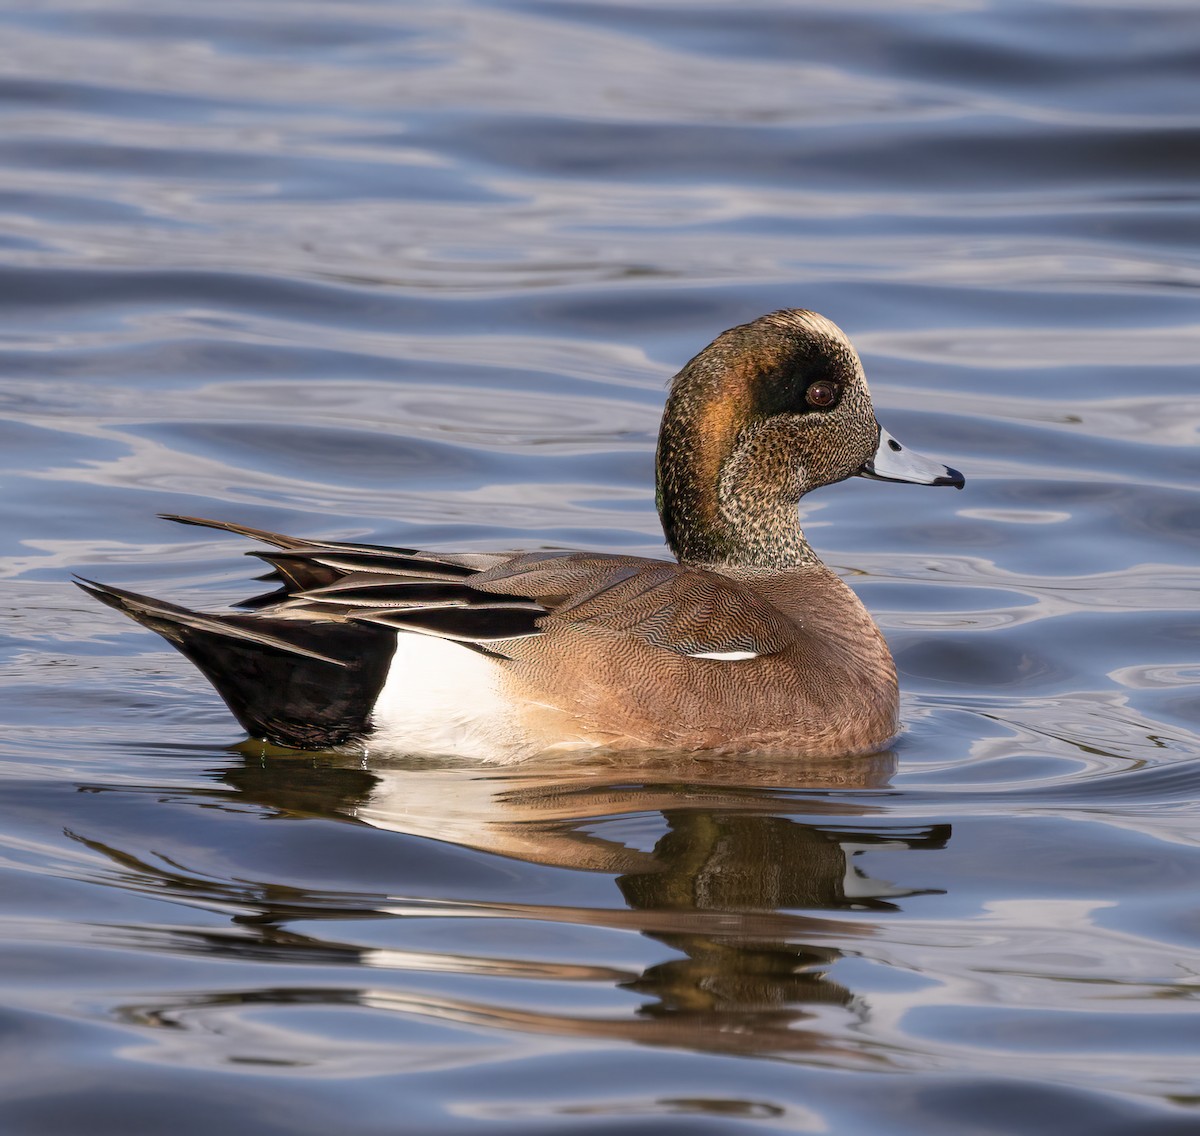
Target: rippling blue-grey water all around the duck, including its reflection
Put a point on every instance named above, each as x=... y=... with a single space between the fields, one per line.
x=419 y=273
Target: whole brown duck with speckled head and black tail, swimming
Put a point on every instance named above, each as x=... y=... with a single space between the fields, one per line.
x=745 y=642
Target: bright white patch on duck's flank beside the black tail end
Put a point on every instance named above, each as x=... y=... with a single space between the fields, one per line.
x=442 y=698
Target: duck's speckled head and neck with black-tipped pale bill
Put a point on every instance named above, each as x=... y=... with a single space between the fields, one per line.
x=766 y=413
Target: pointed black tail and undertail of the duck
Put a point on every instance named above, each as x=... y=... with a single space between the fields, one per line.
x=295 y=682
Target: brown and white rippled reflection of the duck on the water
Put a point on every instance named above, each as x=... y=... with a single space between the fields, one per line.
x=748 y=885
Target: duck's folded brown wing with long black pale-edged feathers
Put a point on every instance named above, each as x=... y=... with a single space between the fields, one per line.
x=689 y=611
